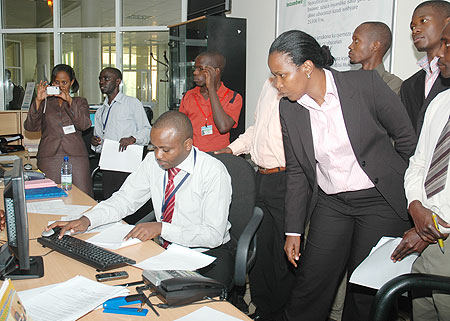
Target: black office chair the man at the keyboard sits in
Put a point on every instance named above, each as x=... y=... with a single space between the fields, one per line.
x=244 y=217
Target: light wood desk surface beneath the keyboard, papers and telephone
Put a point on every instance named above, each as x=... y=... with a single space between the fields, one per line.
x=59 y=268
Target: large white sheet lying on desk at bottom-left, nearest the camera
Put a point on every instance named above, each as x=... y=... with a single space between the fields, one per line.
x=70 y=300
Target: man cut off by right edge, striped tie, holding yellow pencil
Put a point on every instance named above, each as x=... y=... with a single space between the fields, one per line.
x=427 y=188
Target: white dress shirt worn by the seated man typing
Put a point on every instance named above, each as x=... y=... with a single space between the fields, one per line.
x=200 y=217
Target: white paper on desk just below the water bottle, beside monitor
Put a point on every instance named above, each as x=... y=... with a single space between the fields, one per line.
x=56 y=207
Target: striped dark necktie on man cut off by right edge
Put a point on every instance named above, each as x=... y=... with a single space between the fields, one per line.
x=437 y=175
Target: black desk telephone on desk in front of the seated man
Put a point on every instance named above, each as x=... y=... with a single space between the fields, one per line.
x=181 y=290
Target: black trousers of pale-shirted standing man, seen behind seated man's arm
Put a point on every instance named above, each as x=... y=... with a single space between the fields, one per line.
x=112 y=181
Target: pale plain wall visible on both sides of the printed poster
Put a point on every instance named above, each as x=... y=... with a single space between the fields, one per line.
x=261 y=22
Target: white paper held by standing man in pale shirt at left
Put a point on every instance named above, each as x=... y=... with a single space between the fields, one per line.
x=126 y=161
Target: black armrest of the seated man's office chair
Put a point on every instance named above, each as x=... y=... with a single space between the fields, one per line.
x=241 y=263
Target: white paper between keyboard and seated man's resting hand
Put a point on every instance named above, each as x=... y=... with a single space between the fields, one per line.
x=112 y=237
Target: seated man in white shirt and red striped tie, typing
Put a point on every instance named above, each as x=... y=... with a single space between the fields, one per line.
x=191 y=208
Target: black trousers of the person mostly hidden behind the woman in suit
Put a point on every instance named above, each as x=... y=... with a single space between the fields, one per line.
x=272 y=276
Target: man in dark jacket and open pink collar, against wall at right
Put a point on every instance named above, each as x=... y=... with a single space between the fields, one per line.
x=428 y=20
